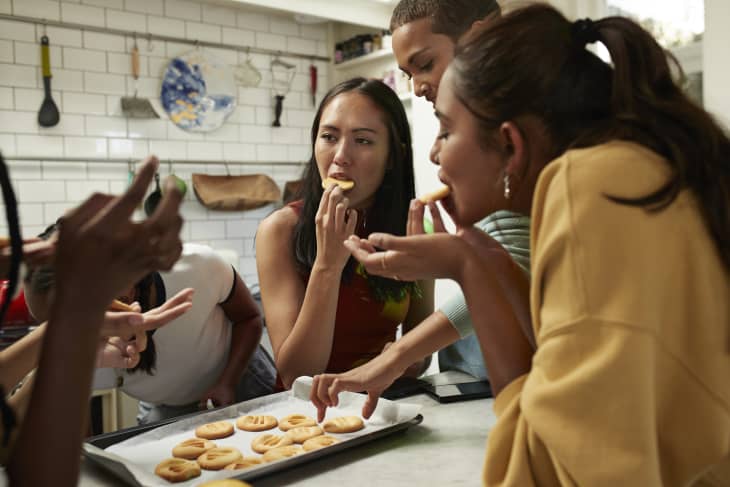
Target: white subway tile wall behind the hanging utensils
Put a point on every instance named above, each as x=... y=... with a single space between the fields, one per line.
x=91 y=73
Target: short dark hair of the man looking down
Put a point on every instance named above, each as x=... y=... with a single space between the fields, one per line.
x=449 y=17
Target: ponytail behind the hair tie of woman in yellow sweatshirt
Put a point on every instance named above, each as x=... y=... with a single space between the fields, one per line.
x=650 y=108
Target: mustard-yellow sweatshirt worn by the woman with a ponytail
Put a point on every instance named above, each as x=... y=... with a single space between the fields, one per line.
x=629 y=384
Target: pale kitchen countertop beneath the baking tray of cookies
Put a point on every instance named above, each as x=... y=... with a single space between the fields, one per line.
x=447 y=448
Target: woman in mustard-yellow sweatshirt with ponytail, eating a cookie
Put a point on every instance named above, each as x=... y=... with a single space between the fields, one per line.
x=628 y=185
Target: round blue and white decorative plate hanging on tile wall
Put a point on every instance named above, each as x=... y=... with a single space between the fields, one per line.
x=198 y=91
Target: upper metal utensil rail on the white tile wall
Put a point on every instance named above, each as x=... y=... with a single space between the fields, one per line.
x=159 y=37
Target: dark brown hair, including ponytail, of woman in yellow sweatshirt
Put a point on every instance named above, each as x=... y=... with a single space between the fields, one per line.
x=534 y=61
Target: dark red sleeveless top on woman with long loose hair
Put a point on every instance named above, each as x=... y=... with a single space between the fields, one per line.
x=363 y=325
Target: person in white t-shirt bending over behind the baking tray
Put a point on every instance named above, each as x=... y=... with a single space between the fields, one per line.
x=210 y=353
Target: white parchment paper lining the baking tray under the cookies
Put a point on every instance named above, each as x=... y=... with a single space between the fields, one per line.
x=135 y=459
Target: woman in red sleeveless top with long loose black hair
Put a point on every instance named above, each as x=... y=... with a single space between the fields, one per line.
x=323 y=311
